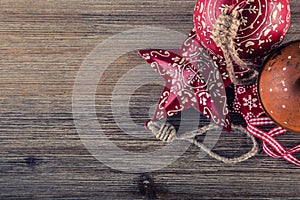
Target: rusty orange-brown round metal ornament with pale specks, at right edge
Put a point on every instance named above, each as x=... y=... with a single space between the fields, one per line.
x=279 y=86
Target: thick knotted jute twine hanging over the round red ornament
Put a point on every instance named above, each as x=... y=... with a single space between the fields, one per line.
x=224 y=35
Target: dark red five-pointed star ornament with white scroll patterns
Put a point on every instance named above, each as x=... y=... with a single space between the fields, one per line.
x=192 y=80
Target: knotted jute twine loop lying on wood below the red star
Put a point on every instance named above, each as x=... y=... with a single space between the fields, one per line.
x=167 y=133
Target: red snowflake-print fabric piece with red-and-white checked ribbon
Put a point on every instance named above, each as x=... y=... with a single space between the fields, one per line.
x=247 y=104
